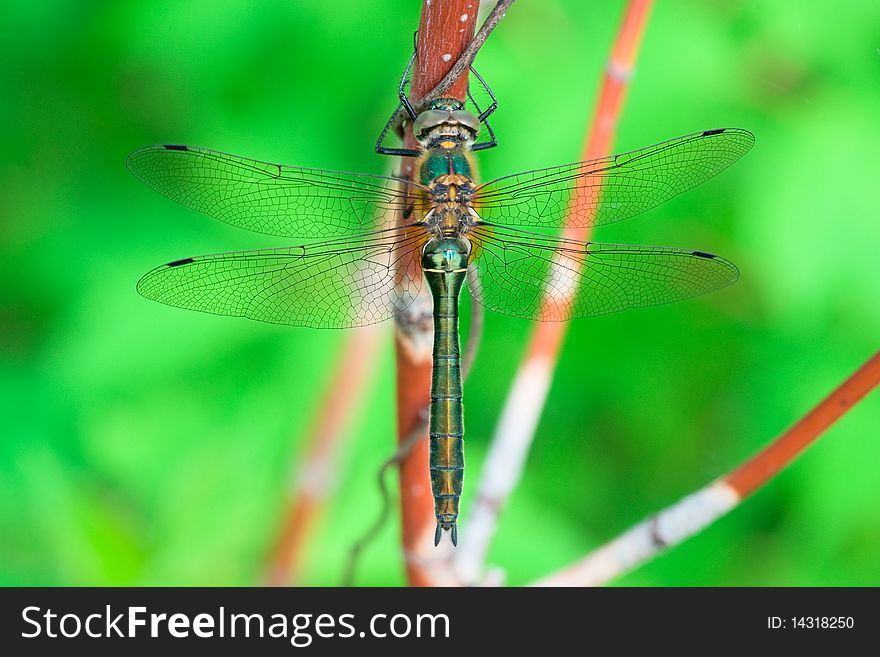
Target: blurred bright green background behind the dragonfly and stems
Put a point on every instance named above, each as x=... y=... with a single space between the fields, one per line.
x=145 y=445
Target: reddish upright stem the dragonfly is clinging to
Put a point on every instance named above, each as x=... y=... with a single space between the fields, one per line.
x=441 y=39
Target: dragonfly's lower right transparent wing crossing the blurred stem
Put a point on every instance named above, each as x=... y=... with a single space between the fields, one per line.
x=537 y=277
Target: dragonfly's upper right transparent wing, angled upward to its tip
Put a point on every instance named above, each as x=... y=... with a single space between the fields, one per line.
x=610 y=189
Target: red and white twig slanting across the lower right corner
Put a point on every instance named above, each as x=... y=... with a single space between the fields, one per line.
x=698 y=510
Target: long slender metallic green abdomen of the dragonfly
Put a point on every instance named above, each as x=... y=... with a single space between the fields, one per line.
x=445 y=266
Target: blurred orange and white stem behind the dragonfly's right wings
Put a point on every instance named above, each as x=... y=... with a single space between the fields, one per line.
x=519 y=418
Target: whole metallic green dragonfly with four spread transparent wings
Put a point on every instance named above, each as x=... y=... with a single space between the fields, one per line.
x=371 y=242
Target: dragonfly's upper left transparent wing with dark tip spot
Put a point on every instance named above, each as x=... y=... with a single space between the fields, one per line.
x=274 y=198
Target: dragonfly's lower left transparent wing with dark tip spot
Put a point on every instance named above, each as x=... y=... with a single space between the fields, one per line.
x=334 y=284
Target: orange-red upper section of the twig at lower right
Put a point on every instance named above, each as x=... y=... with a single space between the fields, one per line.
x=762 y=467
